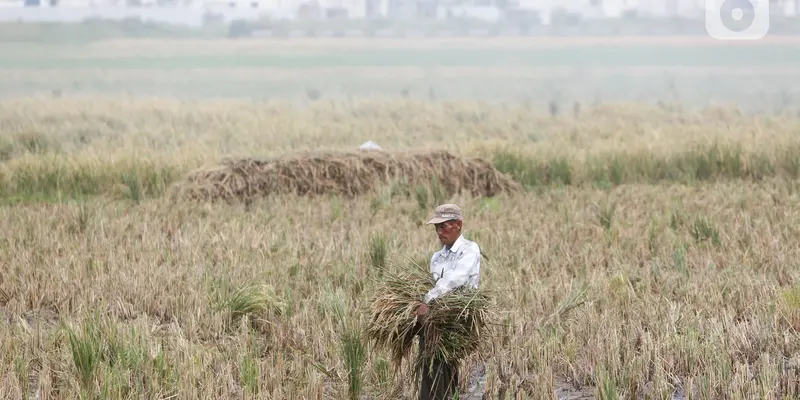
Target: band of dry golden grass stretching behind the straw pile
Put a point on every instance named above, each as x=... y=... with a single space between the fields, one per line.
x=189 y=133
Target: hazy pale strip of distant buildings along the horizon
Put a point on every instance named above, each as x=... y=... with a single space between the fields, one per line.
x=193 y=12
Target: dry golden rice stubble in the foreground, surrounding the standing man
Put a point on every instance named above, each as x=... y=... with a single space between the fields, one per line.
x=696 y=284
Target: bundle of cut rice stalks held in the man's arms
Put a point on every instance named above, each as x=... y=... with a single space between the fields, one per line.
x=453 y=327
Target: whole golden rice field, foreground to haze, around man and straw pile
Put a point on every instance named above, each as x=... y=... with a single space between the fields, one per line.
x=652 y=252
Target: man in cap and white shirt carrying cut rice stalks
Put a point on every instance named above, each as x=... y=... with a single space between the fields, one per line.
x=456 y=265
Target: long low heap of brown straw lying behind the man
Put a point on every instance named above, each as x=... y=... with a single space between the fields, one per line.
x=346 y=175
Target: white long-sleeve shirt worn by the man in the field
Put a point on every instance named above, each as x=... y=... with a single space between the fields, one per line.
x=455 y=267
